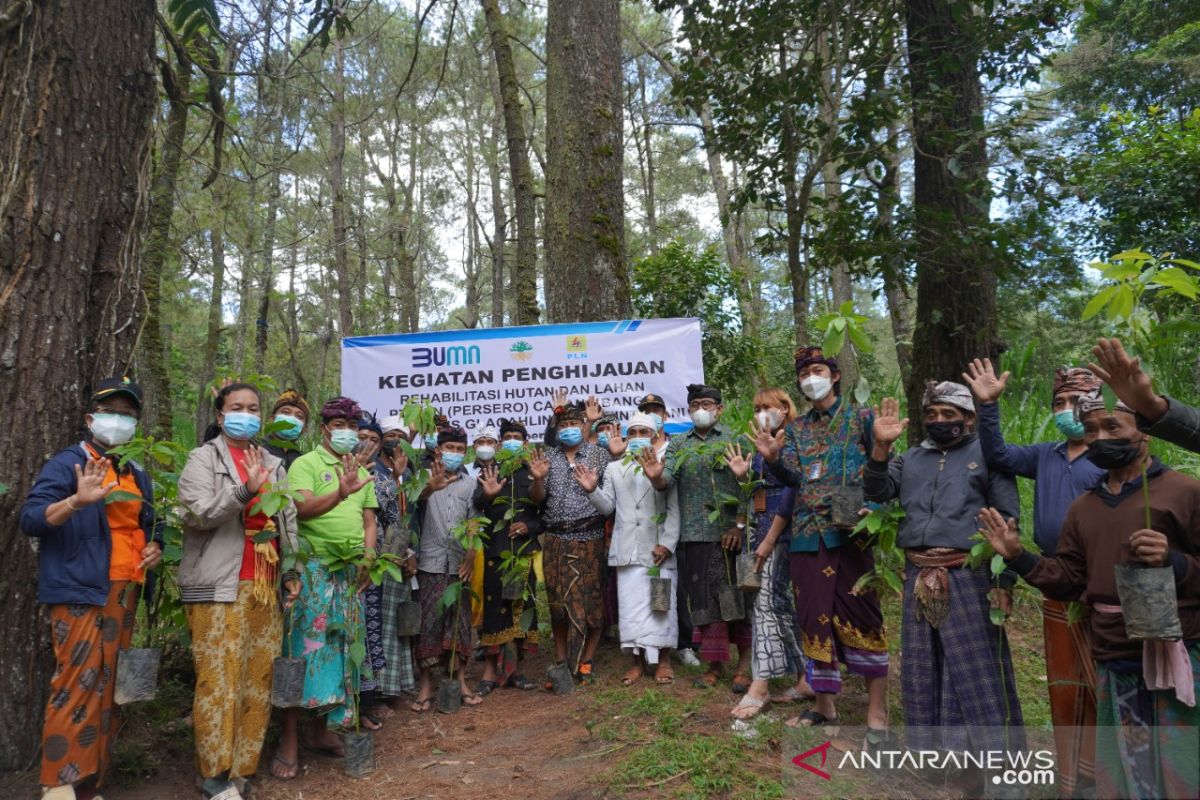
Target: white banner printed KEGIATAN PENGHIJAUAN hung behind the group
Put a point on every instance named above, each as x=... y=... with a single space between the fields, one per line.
x=477 y=377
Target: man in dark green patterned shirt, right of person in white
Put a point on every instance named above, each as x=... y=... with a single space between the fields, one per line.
x=707 y=548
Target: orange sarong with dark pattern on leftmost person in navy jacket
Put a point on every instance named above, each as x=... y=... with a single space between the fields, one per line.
x=81 y=717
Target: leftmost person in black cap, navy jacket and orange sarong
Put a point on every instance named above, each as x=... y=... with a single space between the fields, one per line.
x=92 y=557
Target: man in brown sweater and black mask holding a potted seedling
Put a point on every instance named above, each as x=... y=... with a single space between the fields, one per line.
x=1148 y=720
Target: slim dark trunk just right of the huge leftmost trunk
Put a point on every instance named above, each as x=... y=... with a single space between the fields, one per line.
x=177 y=83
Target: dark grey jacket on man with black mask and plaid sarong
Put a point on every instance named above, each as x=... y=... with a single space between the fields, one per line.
x=941 y=494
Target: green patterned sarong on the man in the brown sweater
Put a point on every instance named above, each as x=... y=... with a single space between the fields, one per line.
x=1147 y=743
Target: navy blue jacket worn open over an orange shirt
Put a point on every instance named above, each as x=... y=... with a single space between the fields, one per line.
x=73 y=558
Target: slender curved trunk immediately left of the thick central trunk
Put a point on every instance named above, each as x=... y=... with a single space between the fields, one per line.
x=525 y=268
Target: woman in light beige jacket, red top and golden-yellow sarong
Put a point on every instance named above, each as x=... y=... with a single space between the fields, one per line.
x=231 y=591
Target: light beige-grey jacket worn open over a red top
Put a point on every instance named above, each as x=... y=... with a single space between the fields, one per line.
x=213 y=500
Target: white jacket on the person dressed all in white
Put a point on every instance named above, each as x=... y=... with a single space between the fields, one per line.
x=635 y=533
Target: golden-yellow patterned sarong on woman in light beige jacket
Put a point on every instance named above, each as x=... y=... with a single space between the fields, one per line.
x=233 y=647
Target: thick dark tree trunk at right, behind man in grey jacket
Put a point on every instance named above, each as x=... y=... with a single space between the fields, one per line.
x=956 y=279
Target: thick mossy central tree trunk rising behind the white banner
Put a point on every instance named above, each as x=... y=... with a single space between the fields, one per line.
x=585 y=154
